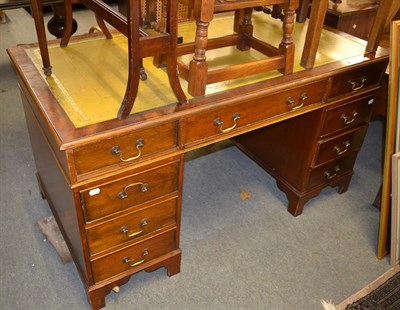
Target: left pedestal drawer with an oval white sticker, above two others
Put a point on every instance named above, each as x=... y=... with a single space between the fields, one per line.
x=121 y=194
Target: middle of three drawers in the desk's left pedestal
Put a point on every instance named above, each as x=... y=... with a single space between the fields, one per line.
x=129 y=227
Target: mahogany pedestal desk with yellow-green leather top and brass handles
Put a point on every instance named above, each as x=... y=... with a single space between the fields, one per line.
x=115 y=187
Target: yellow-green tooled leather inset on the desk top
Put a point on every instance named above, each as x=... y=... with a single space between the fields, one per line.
x=89 y=76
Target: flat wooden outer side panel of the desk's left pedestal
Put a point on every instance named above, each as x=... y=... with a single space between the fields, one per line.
x=55 y=187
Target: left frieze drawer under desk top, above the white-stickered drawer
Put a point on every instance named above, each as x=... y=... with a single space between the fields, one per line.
x=128 y=148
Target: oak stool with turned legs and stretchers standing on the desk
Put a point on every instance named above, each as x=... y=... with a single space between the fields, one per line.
x=197 y=72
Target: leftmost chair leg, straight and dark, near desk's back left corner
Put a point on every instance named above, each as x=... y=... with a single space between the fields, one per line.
x=41 y=35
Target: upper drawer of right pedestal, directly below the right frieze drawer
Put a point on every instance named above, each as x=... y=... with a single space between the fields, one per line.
x=347 y=115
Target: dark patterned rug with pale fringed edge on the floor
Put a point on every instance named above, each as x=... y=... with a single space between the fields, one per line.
x=381 y=294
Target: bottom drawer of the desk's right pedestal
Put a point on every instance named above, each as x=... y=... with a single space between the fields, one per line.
x=329 y=172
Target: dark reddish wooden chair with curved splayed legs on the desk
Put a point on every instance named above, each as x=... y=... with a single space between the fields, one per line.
x=140 y=44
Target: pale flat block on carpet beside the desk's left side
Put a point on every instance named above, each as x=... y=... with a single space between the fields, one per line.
x=49 y=228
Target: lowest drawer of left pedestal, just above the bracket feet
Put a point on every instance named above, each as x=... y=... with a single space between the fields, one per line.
x=134 y=256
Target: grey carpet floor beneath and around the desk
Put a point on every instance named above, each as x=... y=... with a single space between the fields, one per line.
x=237 y=254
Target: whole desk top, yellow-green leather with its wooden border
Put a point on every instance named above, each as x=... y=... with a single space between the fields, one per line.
x=89 y=76
